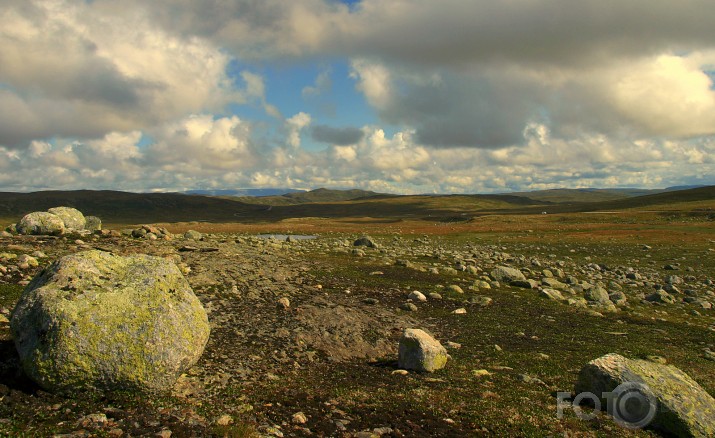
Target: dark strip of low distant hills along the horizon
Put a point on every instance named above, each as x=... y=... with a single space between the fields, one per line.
x=133 y=208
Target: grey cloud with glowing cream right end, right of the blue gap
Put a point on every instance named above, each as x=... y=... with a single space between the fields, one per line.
x=666 y=95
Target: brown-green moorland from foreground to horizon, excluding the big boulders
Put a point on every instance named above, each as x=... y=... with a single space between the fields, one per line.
x=304 y=331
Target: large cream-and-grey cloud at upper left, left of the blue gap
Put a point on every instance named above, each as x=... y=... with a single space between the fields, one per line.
x=84 y=69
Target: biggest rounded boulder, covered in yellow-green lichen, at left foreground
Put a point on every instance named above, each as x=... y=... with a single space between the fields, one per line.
x=97 y=320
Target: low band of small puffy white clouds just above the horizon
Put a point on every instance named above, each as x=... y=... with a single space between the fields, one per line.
x=201 y=151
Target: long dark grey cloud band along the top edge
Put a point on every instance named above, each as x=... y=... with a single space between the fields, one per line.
x=448 y=32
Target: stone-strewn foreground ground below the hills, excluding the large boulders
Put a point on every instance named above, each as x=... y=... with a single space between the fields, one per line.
x=304 y=333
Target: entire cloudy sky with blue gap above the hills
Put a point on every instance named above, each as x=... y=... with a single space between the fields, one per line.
x=399 y=96
